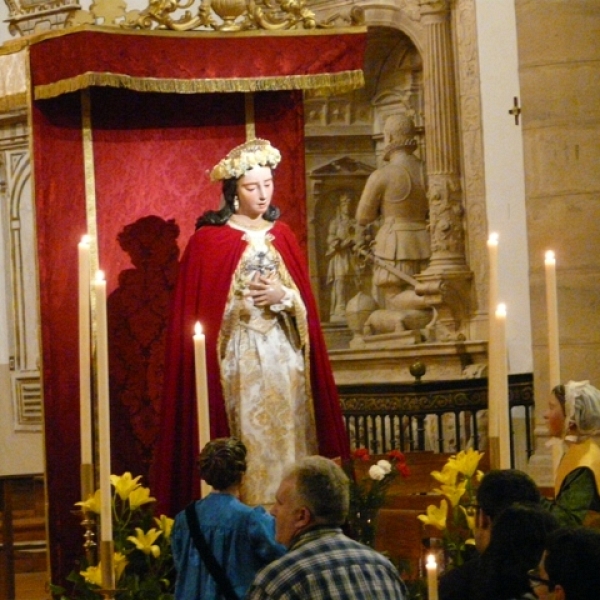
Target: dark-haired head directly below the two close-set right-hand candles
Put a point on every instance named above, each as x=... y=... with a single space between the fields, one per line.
x=501 y=488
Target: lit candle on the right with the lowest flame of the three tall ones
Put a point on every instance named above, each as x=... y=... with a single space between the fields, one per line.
x=501 y=389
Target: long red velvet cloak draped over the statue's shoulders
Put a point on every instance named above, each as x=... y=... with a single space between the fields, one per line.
x=205 y=274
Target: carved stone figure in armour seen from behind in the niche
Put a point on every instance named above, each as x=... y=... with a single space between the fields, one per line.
x=395 y=195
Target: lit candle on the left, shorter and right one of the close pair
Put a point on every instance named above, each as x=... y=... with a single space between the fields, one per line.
x=103 y=409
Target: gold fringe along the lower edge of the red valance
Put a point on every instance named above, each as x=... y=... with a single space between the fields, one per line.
x=323 y=83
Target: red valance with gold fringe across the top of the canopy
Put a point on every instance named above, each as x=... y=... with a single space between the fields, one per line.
x=193 y=63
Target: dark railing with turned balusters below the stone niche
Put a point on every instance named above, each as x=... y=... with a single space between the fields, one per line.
x=443 y=416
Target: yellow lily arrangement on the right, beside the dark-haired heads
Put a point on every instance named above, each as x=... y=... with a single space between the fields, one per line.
x=455 y=516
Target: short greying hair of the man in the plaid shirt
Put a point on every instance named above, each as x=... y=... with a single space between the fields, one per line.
x=324 y=489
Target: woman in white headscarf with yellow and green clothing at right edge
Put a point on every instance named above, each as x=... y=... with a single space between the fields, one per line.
x=573 y=415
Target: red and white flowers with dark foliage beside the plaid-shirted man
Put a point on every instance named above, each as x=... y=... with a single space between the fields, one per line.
x=368 y=494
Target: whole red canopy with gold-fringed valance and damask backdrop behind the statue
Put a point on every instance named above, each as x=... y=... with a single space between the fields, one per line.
x=151 y=154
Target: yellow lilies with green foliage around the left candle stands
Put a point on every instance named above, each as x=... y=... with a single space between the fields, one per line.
x=142 y=560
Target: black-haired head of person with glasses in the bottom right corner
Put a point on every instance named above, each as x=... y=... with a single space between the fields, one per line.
x=573 y=562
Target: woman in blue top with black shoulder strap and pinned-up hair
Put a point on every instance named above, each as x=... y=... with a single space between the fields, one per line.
x=240 y=539
